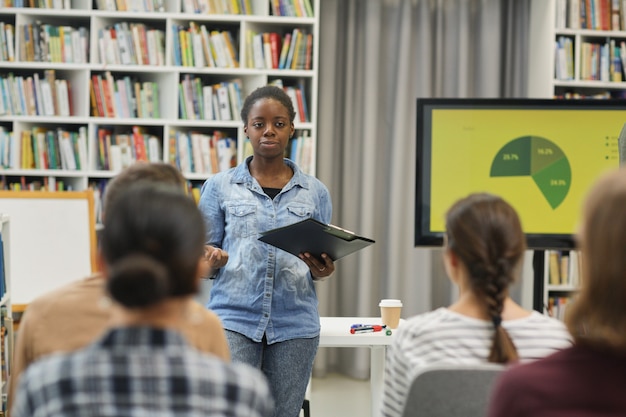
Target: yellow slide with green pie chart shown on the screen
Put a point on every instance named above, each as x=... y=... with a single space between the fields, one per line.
x=542 y=162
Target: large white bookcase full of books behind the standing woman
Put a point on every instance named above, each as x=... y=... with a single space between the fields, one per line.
x=104 y=87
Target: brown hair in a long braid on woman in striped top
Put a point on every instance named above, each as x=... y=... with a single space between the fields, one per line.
x=485 y=233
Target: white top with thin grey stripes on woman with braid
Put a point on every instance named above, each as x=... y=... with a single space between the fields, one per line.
x=444 y=336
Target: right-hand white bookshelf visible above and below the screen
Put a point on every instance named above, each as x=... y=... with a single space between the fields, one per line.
x=577 y=49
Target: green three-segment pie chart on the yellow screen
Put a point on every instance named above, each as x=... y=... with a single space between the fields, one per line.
x=538 y=158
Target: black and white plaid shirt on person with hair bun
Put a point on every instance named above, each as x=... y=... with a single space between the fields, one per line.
x=137 y=372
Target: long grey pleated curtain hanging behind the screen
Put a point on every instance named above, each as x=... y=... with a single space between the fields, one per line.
x=378 y=57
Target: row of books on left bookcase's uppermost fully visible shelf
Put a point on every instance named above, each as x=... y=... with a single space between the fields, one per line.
x=133 y=43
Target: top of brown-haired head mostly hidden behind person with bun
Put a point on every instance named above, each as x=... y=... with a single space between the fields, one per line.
x=152 y=172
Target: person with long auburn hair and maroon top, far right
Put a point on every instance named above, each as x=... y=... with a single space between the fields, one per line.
x=589 y=378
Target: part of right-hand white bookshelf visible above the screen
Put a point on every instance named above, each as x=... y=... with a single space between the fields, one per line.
x=577 y=49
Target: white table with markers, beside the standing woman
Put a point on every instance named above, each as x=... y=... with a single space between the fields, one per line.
x=335 y=332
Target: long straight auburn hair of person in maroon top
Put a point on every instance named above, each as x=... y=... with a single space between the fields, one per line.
x=597 y=316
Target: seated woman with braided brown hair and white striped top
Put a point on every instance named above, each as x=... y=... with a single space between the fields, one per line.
x=483 y=250
